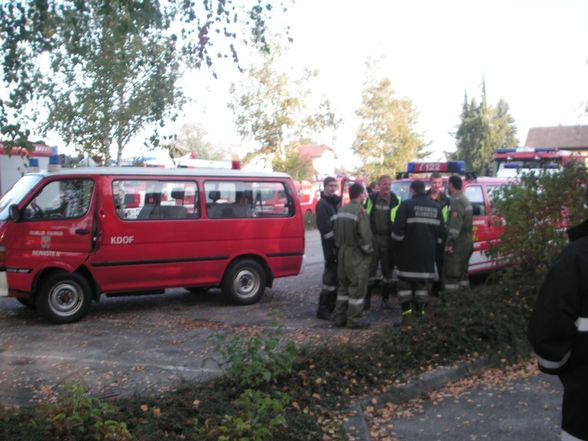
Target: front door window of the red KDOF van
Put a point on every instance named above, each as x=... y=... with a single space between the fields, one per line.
x=61 y=199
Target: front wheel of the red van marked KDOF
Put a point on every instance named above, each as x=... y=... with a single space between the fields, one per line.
x=64 y=297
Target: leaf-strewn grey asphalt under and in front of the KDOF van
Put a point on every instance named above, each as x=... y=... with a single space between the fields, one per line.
x=148 y=343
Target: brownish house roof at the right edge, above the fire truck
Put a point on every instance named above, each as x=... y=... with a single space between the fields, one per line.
x=564 y=137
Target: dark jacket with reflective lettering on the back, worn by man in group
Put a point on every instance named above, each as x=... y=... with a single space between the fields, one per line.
x=417 y=232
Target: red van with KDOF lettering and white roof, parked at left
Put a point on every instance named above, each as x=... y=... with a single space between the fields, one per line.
x=69 y=236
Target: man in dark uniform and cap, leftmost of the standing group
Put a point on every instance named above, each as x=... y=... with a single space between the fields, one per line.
x=326 y=211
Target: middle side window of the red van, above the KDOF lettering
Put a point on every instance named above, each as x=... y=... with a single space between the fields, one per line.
x=153 y=199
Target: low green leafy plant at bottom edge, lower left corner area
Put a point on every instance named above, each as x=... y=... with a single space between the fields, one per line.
x=79 y=416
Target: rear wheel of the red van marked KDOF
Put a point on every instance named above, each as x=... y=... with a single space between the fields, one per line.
x=244 y=282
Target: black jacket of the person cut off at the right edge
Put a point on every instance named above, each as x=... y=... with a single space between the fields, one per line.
x=558 y=329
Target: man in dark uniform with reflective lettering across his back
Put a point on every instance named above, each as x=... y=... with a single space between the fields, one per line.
x=418 y=230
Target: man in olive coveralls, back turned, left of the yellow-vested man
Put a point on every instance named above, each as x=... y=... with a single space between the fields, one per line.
x=354 y=240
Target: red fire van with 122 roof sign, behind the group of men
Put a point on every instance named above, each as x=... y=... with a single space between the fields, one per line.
x=487 y=227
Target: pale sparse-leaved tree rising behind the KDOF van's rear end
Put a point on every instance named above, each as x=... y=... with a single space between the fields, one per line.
x=275 y=110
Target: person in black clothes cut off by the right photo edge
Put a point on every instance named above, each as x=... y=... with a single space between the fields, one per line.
x=558 y=329
